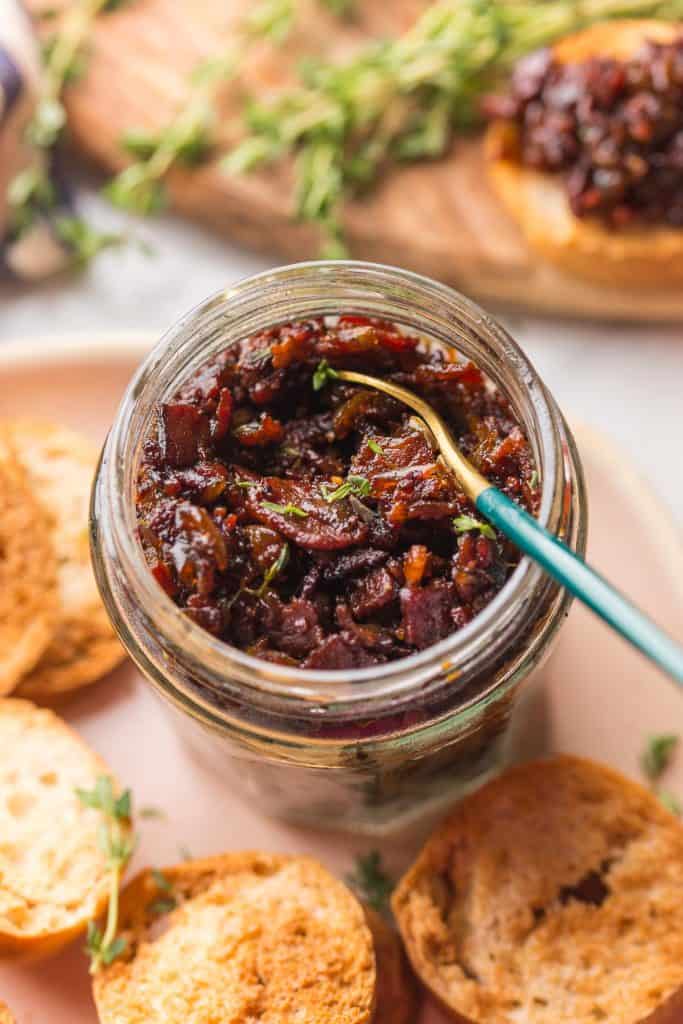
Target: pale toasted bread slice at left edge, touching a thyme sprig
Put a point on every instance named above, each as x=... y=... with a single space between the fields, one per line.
x=54 y=877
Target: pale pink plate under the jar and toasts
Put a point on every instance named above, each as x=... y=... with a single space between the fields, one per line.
x=597 y=697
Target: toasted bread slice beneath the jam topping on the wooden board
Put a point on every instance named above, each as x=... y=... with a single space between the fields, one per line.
x=643 y=258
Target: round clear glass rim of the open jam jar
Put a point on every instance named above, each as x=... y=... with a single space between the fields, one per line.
x=121 y=458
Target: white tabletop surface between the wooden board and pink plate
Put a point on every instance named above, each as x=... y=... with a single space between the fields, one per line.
x=627 y=381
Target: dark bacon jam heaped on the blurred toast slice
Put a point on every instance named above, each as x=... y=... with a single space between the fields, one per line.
x=614 y=130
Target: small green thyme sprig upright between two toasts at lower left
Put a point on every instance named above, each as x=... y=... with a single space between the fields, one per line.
x=117 y=843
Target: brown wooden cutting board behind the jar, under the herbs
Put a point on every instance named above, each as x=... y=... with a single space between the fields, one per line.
x=439 y=219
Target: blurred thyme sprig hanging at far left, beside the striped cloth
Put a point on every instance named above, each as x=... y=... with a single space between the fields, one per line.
x=32 y=193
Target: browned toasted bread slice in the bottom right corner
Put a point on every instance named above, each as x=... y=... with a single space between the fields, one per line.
x=554 y=895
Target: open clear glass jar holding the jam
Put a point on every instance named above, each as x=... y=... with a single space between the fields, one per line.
x=368 y=750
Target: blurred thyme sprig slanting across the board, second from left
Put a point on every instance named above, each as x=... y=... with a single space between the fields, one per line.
x=188 y=139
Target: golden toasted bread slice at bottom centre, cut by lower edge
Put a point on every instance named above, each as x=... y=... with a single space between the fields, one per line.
x=253 y=936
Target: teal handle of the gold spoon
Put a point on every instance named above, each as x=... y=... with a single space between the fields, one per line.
x=581 y=580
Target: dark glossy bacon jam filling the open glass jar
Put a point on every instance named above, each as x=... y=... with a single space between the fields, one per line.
x=310 y=522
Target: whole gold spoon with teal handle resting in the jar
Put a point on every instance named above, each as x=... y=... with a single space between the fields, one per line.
x=554 y=557
